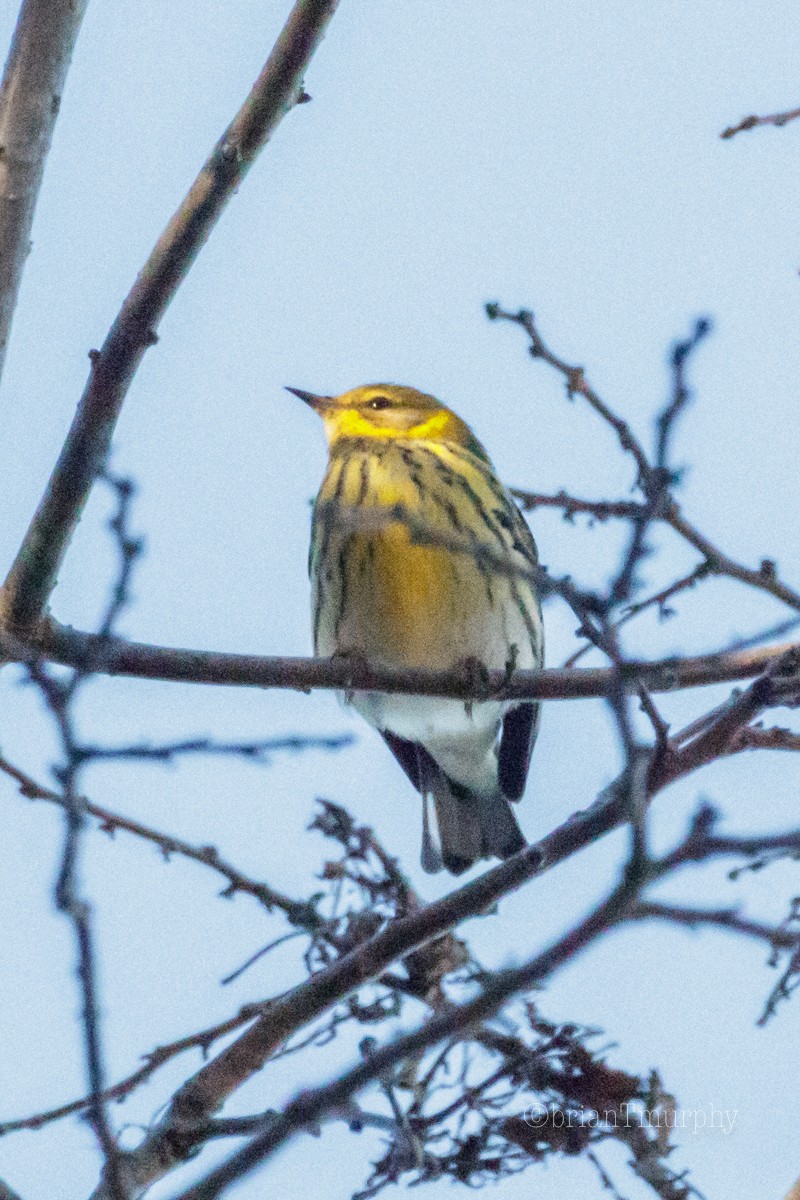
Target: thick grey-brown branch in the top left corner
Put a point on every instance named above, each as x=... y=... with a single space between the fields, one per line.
x=31 y=98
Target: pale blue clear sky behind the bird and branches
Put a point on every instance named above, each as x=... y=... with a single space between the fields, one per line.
x=562 y=157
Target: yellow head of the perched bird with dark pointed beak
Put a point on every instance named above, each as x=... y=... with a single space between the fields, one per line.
x=387 y=411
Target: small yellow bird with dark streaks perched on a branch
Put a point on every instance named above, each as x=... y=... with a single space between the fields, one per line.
x=420 y=559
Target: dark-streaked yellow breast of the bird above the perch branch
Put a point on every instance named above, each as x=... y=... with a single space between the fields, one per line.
x=382 y=593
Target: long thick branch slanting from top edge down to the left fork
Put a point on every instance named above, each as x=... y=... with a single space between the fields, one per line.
x=34 y=573
